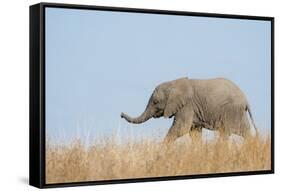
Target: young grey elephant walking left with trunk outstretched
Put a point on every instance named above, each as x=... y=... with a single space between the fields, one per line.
x=215 y=104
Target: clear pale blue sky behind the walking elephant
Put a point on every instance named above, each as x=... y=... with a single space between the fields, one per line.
x=99 y=64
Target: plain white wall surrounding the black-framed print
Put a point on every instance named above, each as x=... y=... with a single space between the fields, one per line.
x=14 y=67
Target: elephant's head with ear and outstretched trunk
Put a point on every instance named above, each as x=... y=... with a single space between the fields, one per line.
x=166 y=100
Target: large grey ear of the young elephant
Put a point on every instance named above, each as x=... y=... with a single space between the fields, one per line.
x=178 y=96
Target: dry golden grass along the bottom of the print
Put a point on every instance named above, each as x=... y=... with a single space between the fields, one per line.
x=109 y=160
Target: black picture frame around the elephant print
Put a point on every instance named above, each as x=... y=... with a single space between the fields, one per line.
x=37 y=94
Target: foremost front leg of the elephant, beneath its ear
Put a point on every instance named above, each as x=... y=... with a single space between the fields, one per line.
x=181 y=126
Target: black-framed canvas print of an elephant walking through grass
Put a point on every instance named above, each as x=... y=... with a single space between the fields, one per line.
x=127 y=95
